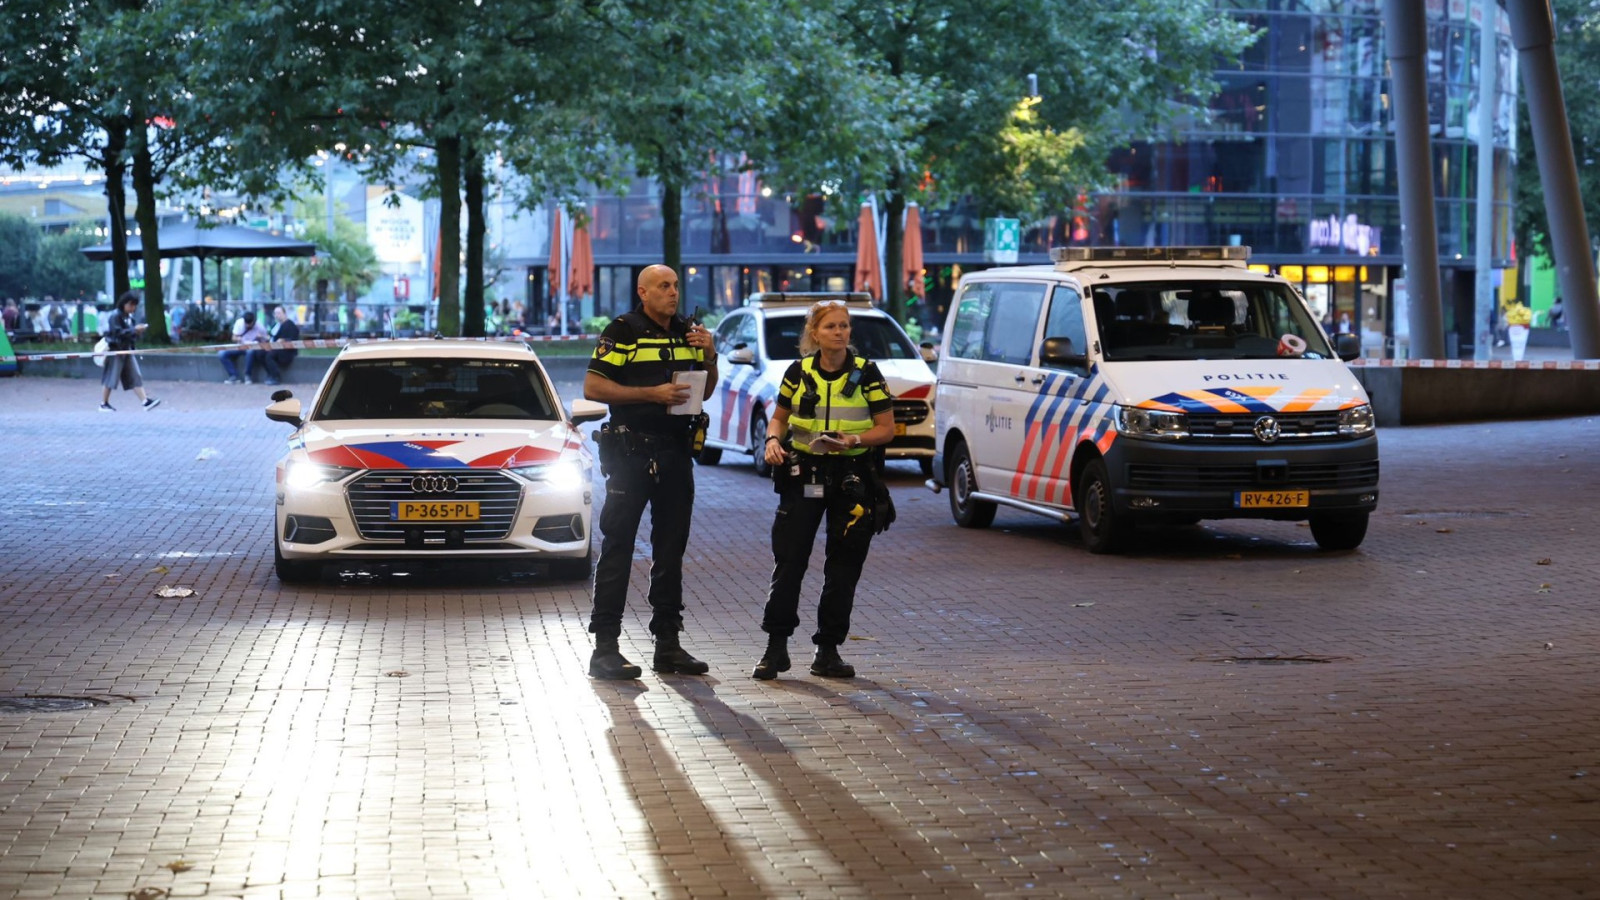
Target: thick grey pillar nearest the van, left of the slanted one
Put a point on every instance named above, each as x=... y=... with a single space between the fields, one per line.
x=1406 y=34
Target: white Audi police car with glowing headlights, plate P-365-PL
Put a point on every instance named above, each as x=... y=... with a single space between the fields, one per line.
x=434 y=449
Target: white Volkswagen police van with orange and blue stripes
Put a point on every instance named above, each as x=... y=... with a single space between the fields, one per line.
x=1151 y=385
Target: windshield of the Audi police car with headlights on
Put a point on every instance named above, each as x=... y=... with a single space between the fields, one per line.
x=436 y=388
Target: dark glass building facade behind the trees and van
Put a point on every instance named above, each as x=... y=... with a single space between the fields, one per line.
x=1295 y=159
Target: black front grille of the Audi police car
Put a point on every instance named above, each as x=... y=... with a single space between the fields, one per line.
x=497 y=494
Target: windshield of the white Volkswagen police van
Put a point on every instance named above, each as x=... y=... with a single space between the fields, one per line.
x=1204 y=321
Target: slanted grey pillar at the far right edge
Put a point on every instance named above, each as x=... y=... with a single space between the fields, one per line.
x=1534 y=34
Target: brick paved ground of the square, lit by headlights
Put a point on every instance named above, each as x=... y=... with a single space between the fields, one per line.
x=1031 y=721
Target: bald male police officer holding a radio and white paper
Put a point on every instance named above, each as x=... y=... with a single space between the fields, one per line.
x=647 y=457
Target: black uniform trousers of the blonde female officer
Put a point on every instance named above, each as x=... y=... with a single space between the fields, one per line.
x=846 y=552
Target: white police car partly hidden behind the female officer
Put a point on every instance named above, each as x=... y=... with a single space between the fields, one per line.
x=761 y=340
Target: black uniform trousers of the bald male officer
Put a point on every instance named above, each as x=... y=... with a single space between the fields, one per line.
x=670 y=492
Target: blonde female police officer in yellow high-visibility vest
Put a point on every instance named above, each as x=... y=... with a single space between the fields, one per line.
x=833 y=409
